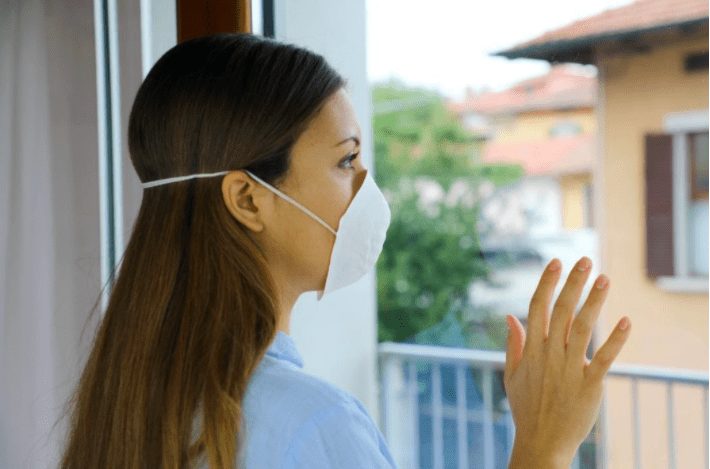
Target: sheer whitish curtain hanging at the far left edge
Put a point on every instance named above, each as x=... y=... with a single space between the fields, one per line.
x=49 y=219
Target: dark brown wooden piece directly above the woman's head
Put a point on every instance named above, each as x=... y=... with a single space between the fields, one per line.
x=198 y=18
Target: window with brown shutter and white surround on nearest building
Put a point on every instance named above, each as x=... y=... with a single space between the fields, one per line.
x=676 y=169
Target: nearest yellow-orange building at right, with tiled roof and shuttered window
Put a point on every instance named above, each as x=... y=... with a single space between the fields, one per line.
x=651 y=185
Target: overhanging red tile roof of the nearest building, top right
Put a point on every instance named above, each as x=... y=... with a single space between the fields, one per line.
x=571 y=42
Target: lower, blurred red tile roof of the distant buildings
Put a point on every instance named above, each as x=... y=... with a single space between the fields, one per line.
x=551 y=157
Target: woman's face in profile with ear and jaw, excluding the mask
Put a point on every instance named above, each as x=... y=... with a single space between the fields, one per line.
x=324 y=177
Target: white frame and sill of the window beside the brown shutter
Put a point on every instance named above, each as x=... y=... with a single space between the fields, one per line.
x=680 y=124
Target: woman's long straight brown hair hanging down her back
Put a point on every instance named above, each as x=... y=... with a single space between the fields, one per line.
x=192 y=309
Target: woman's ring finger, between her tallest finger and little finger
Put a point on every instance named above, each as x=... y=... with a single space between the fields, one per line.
x=583 y=326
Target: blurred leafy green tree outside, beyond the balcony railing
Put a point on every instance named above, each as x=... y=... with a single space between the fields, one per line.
x=432 y=253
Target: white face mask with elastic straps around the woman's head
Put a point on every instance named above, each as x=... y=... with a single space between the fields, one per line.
x=359 y=237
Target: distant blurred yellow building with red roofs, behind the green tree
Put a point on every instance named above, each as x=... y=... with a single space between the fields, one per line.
x=547 y=125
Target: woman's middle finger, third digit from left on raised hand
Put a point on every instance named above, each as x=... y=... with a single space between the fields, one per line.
x=566 y=304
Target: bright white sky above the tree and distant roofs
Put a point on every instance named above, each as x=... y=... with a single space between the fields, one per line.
x=447 y=47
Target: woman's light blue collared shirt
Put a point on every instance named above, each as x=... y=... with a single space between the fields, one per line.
x=294 y=420
